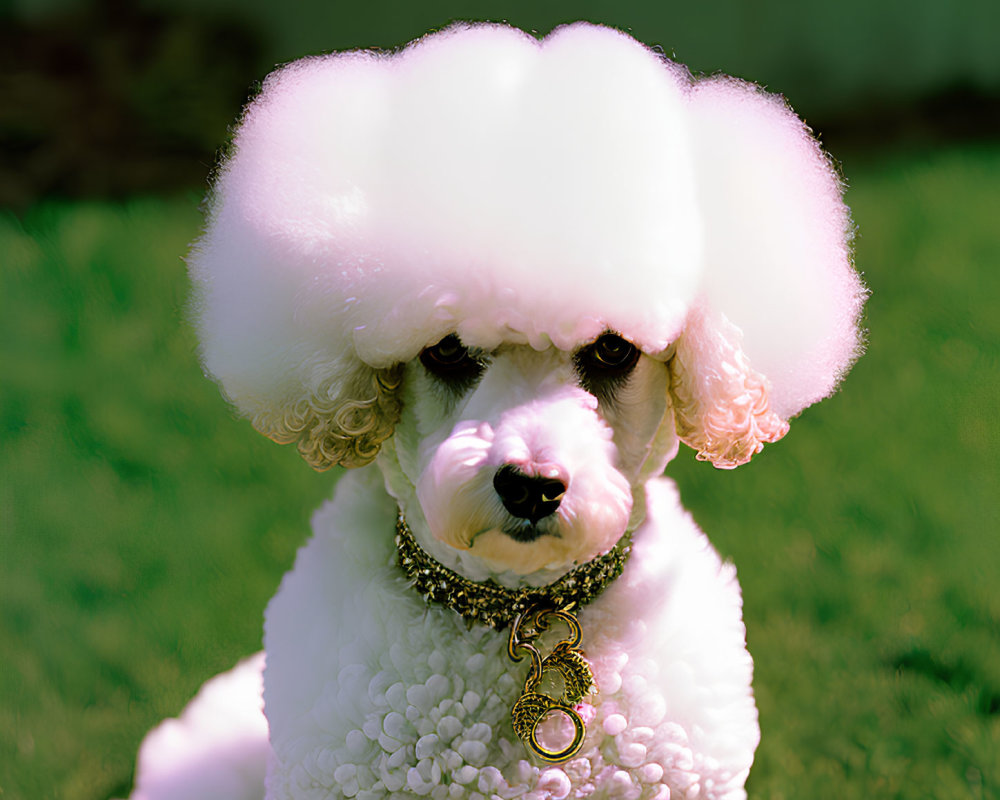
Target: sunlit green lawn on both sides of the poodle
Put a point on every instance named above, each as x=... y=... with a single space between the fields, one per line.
x=143 y=528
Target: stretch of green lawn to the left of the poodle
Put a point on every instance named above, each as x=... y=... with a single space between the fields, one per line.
x=143 y=528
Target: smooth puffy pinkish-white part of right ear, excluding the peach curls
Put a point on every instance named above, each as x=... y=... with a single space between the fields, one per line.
x=777 y=260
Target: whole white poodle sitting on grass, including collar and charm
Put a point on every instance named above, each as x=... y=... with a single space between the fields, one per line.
x=503 y=278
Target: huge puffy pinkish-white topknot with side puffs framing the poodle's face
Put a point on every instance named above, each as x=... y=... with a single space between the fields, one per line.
x=509 y=189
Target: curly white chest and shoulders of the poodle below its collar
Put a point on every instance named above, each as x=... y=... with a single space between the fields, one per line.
x=377 y=694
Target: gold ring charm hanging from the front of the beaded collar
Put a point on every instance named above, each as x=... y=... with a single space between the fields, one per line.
x=569 y=666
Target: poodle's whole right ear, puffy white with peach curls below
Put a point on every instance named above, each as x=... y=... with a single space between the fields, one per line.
x=776 y=324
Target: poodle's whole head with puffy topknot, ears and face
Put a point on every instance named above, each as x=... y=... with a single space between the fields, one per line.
x=521 y=270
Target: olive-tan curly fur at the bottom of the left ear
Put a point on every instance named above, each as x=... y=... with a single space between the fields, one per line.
x=344 y=422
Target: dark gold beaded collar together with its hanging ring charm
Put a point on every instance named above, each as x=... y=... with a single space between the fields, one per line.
x=529 y=612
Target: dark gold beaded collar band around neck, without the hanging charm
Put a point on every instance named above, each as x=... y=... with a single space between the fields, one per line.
x=490 y=603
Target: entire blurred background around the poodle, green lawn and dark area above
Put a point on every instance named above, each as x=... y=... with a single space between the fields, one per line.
x=143 y=527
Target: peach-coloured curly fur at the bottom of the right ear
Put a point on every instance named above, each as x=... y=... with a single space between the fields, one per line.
x=721 y=405
